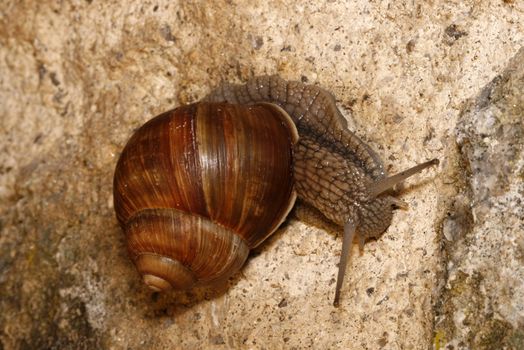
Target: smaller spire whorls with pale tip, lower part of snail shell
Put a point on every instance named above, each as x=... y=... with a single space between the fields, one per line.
x=181 y=248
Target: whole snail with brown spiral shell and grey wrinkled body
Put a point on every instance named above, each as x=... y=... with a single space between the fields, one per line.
x=197 y=187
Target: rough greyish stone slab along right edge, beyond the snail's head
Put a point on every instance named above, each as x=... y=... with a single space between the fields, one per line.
x=482 y=306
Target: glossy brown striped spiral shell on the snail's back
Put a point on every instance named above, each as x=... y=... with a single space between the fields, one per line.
x=197 y=187
